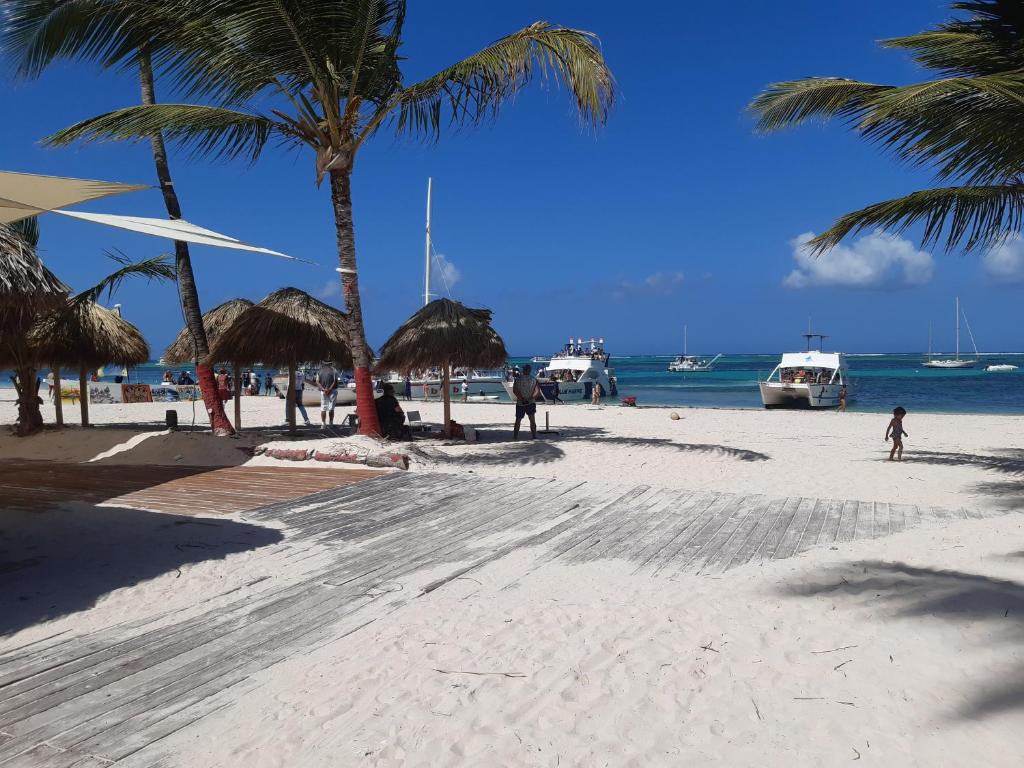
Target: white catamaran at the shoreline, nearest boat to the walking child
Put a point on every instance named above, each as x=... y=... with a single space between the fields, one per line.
x=808 y=379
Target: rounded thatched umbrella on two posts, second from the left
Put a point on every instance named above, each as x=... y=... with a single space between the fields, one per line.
x=83 y=335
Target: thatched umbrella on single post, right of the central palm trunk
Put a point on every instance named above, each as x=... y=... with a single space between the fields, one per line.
x=444 y=333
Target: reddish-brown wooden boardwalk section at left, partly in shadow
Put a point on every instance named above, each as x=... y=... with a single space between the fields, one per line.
x=184 y=490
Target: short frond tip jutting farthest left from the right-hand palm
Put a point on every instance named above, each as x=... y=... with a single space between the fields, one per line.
x=793 y=103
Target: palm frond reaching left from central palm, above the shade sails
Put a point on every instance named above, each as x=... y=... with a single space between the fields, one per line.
x=204 y=132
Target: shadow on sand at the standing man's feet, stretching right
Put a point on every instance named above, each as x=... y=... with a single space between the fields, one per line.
x=497 y=446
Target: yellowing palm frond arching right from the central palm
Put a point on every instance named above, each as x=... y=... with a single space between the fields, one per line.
x=475 y=90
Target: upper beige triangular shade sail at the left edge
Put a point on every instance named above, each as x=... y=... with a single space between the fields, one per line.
x=25 y=195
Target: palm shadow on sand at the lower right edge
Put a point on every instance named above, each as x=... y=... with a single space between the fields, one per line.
x=954 y=595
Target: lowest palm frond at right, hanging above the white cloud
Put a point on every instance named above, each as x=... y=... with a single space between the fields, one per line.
x=974 y=217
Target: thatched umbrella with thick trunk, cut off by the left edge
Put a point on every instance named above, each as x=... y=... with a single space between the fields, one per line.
x=27 y=288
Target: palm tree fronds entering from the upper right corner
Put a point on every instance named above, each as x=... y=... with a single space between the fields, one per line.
x=965 y=124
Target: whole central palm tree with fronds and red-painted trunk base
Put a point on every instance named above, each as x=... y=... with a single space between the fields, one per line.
x=327 y=76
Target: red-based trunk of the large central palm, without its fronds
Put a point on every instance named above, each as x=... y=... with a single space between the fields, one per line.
x=342 y=199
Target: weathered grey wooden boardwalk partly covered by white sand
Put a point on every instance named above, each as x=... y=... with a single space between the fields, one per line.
x=353 y=556
